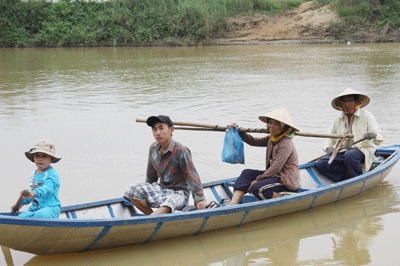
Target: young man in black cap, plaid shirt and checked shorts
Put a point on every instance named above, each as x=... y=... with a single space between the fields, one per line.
x=171 y=164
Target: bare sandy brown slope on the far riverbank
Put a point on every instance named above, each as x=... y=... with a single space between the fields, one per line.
x=310 y=23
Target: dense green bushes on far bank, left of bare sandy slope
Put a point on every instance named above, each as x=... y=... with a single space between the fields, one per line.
x=121 y=22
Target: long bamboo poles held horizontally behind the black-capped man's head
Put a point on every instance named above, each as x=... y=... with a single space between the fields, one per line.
x=205 y=127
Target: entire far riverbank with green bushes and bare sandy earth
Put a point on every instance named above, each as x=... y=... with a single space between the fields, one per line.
x=83 y=23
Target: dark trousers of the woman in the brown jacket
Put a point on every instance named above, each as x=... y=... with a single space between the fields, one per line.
x=263 y=189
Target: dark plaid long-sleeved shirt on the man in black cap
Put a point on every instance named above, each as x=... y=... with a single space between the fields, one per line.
x=175 y=169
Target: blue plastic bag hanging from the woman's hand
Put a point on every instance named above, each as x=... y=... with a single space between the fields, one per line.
x=233 y=151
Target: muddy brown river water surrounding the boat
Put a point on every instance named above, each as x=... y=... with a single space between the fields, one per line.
x=86 y=100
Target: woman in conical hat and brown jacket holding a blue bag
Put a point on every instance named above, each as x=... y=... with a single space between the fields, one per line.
x=282 y=168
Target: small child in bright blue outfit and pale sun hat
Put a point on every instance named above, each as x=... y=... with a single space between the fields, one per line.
x=44 y=183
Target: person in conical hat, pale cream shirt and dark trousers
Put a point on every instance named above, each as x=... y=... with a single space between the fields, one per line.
x=352 y=160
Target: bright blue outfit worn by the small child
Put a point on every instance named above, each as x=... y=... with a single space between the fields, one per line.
x=46 y=203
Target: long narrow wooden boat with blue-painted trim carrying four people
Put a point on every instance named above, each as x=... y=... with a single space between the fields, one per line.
x=115 y=222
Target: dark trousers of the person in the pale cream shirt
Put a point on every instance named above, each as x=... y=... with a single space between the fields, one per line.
x=350 y=160
